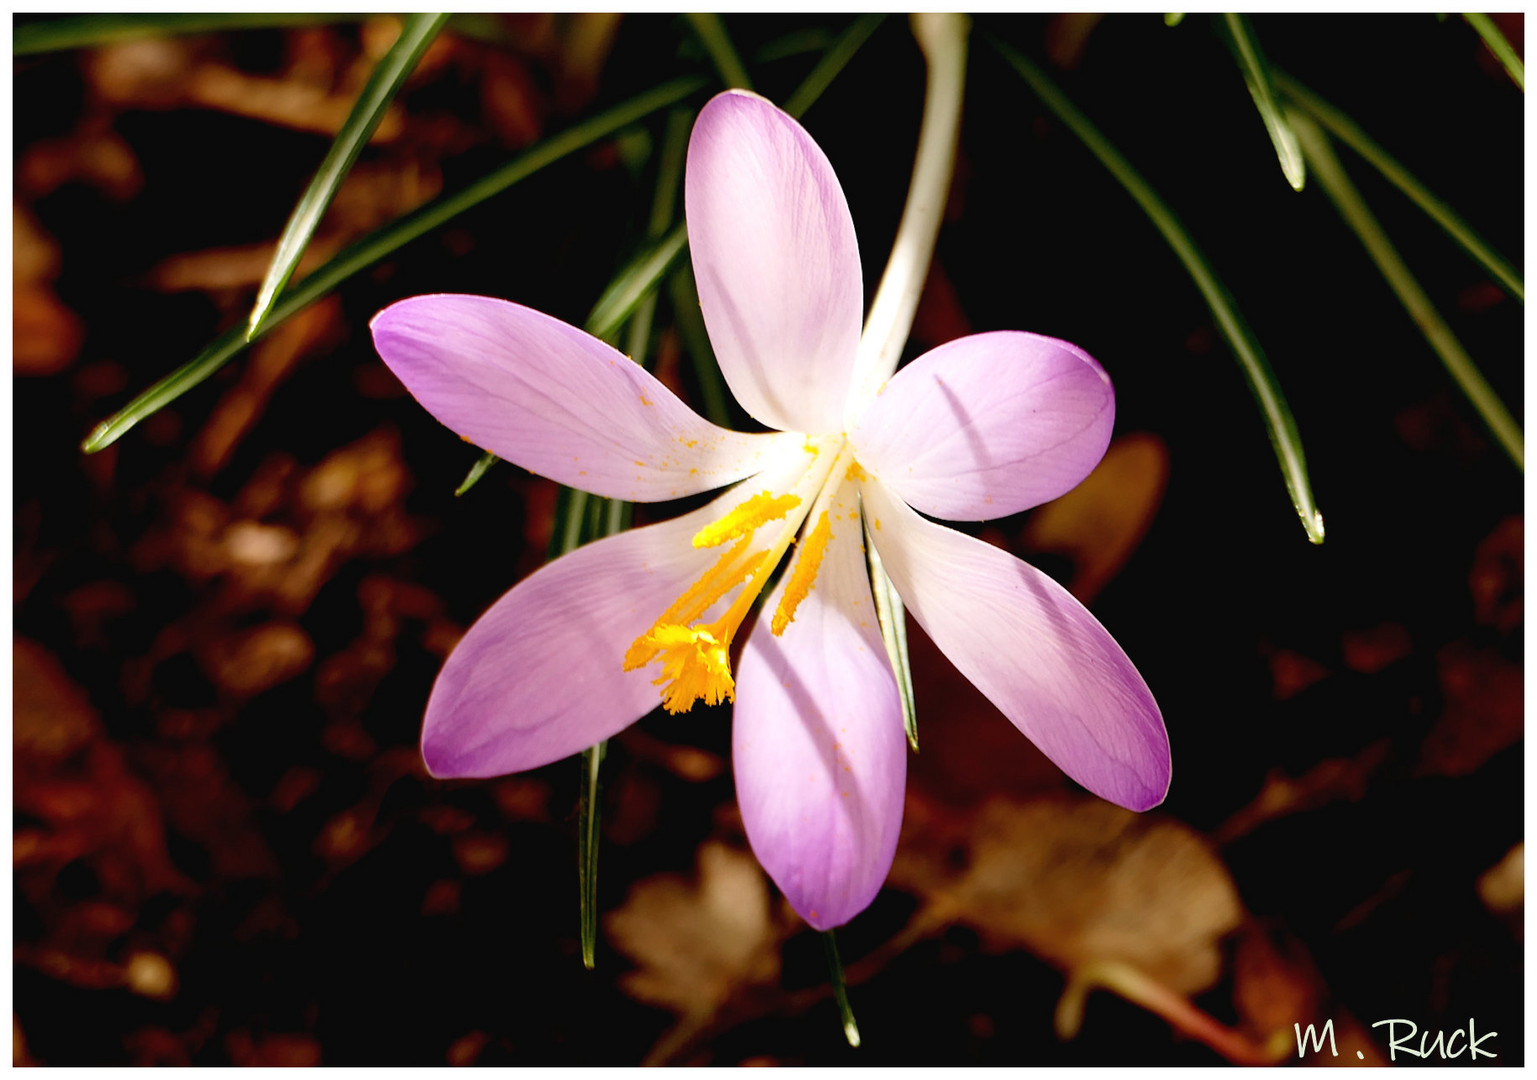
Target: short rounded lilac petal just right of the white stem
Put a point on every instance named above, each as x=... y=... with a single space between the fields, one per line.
x=989 y=426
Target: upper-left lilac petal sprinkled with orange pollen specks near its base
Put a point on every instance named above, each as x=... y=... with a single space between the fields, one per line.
x=557 y=402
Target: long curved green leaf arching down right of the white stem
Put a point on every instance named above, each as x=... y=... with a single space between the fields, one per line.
x=1280 y=423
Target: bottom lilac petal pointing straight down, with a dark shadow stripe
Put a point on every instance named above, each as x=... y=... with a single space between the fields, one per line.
x=818 y=743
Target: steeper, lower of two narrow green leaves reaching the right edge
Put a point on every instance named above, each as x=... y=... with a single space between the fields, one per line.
x=1353 y=208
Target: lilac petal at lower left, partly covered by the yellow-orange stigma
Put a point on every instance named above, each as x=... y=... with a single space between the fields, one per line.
x=540 y=675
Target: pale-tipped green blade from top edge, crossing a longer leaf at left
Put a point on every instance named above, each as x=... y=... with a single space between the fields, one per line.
x=388 y=76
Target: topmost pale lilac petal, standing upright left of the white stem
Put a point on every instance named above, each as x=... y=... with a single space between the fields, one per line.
x=775 y=260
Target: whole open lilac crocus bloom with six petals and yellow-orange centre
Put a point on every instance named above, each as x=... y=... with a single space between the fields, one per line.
x=980 y=428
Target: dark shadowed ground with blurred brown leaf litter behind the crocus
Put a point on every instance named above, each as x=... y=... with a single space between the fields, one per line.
x=227 y=849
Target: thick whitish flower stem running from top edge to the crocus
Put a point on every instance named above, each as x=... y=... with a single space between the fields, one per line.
x=943 y=39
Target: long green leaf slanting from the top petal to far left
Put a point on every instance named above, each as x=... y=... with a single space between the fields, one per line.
x=379 y=245
